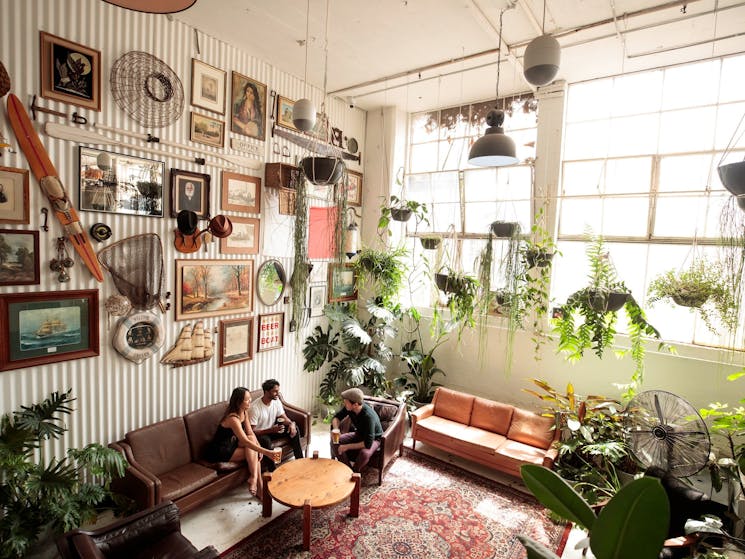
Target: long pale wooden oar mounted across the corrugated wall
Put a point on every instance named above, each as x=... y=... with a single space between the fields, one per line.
x=88 y=136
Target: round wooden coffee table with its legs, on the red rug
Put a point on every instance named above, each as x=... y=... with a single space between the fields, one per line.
x=311 y=483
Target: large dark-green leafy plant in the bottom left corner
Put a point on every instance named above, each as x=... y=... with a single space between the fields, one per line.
x=35 y=492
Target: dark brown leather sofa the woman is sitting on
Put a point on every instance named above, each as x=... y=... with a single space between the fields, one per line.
x=166 y=464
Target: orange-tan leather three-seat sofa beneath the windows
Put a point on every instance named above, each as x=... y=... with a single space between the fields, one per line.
x=497 y=435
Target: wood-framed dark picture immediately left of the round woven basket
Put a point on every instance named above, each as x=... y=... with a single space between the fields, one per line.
x=70 y=72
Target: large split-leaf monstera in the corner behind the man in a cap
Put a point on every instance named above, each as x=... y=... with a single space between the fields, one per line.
x=355 y=349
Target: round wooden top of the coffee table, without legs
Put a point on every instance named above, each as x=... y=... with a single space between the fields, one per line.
x=322 y=481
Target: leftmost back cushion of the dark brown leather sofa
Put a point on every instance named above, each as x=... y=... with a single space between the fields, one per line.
x=161 y=447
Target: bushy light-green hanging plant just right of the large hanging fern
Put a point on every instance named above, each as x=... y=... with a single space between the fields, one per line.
x=701 y=288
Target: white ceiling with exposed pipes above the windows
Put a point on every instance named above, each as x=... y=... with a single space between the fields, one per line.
x=387 y=41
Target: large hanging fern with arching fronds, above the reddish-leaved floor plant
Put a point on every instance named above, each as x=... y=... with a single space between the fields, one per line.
x=597 y=306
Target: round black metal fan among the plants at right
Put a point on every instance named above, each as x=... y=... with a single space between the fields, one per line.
x=665 y=431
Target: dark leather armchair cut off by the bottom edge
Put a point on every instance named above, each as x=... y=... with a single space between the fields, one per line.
x=151 y=533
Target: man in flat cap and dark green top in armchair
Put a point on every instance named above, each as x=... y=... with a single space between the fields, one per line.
x=357 y=446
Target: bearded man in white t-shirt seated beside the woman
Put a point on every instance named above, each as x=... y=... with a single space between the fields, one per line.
x=263 y=417
